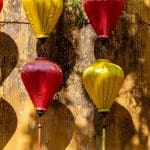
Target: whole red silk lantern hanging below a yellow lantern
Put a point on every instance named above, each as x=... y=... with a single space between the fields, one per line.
x=41 y=79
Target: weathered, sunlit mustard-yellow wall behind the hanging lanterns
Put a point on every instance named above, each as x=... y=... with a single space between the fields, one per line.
x=72 y=122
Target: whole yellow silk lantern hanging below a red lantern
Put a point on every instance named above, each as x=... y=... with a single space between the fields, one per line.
x=102 y=81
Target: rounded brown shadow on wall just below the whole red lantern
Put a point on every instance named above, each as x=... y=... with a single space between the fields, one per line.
x=57 y=128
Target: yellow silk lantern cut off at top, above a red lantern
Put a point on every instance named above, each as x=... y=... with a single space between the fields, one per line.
x=43 y=15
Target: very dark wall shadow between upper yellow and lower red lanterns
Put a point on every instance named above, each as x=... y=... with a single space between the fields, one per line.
x=60 y=49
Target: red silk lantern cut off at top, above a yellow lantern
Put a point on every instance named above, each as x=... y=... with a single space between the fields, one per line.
x=103 y=15
